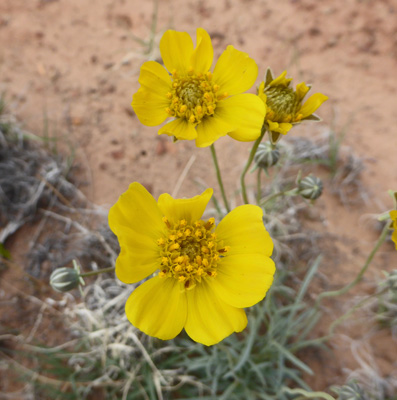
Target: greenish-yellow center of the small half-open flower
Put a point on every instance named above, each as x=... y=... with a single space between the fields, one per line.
x=282 y=104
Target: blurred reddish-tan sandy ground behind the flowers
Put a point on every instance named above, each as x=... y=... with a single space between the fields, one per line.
x=74 y=66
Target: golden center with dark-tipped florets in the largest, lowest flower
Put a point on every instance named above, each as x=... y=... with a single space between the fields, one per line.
x=190 y=252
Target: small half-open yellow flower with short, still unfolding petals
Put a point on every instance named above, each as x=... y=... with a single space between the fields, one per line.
x=284 y=104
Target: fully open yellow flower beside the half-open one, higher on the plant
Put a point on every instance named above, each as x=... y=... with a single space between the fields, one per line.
x=204 y=105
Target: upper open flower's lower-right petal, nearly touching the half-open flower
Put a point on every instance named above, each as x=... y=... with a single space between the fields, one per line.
x=246 y=113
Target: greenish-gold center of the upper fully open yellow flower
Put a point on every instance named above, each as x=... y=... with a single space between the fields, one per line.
x=193 y=96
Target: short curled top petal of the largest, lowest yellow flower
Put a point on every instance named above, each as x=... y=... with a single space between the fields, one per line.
x=189 y=209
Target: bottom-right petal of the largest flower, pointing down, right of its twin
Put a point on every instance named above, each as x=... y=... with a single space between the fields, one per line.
x=209 y=319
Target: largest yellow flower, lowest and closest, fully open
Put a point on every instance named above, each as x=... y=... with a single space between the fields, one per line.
x=206 y=274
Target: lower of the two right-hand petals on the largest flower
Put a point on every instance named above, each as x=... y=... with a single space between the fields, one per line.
x=243 y=280
